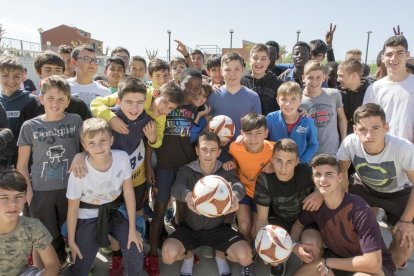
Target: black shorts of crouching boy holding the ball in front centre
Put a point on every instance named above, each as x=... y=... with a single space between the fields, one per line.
x=220 y=238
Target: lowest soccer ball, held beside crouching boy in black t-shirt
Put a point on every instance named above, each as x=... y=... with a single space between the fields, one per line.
x=273 y=244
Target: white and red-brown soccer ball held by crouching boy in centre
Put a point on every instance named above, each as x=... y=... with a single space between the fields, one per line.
x=212 y=196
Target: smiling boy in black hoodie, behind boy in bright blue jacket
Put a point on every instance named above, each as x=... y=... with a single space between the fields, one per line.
x=262 y=81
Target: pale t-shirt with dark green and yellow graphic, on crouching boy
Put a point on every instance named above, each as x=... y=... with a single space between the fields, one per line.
x=384 y=172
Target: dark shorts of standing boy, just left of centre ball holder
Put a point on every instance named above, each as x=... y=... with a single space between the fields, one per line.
x=164 y=179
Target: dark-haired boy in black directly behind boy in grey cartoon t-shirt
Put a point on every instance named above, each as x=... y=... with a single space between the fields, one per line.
x=48 y=64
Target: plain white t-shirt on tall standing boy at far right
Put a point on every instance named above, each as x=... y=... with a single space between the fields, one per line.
x=397 y=100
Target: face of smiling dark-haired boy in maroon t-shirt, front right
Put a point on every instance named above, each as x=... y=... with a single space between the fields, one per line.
x=326 y=179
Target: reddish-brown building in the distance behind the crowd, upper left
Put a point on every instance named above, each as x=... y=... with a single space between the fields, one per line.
x=72 y=36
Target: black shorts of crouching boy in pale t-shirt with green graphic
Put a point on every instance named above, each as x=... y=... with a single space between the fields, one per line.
x=393 y=203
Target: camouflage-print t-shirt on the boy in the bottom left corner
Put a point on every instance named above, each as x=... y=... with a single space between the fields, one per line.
x=16 y=246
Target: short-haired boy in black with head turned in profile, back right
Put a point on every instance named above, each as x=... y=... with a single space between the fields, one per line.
x=353 y=88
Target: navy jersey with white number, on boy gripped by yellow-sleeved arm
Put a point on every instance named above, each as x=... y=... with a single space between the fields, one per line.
x=133 y=143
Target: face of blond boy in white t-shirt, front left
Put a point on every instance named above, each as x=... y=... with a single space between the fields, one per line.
x=99 y=146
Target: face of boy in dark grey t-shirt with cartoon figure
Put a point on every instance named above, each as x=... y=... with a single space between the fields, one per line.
x=55 y=101
